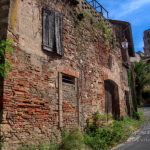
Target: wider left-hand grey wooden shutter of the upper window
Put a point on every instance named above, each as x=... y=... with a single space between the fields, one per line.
x=48 y=29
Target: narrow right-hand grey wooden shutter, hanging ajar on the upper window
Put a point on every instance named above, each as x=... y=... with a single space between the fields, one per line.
x=58 y=33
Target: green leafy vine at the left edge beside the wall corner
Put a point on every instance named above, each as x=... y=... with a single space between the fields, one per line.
x=5 y=65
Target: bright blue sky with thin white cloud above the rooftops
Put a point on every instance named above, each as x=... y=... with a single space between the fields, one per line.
x=137 y=12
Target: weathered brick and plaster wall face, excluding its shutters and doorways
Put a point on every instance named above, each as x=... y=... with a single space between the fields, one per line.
x=31 y=93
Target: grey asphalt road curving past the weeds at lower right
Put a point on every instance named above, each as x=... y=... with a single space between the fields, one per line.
x=141 y=139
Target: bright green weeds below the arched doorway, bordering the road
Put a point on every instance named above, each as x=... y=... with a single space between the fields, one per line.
x=101 y=138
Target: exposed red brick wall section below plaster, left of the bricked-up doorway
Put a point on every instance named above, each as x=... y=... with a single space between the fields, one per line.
x=30 y=101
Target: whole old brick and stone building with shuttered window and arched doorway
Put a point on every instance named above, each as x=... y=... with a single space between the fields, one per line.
x=69 y=61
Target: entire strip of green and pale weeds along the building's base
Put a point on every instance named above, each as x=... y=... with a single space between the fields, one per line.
x=95 y=137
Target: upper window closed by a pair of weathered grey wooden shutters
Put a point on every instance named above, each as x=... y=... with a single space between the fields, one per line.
x=52 y=31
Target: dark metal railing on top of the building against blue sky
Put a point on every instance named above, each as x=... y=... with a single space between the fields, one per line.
x=97 y=6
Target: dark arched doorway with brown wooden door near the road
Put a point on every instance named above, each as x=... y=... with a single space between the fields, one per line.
x=112 y=99
